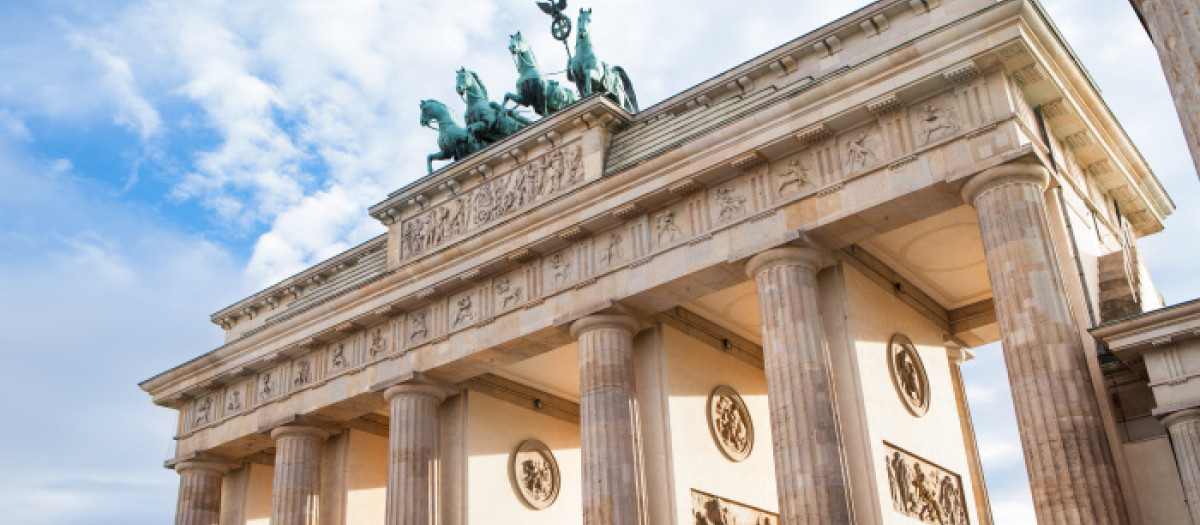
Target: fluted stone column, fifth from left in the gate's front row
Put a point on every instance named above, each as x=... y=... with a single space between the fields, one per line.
x=809 y=454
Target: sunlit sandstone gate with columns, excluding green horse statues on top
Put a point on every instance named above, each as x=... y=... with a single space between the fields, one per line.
x=746 y=305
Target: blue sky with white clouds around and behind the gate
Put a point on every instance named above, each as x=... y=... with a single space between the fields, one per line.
x=161 y=159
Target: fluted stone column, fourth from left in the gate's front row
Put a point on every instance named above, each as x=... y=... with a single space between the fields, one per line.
x=613 y=480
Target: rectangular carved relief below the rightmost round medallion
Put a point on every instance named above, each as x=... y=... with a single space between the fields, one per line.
x=923 y=491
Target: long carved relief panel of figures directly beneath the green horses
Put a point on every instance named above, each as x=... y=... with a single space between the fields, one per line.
x=533 y=182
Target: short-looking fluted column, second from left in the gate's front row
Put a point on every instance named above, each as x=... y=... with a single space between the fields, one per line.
x=296 y=496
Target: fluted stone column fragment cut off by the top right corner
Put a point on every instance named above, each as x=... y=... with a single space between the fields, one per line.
x=1175 y=28
